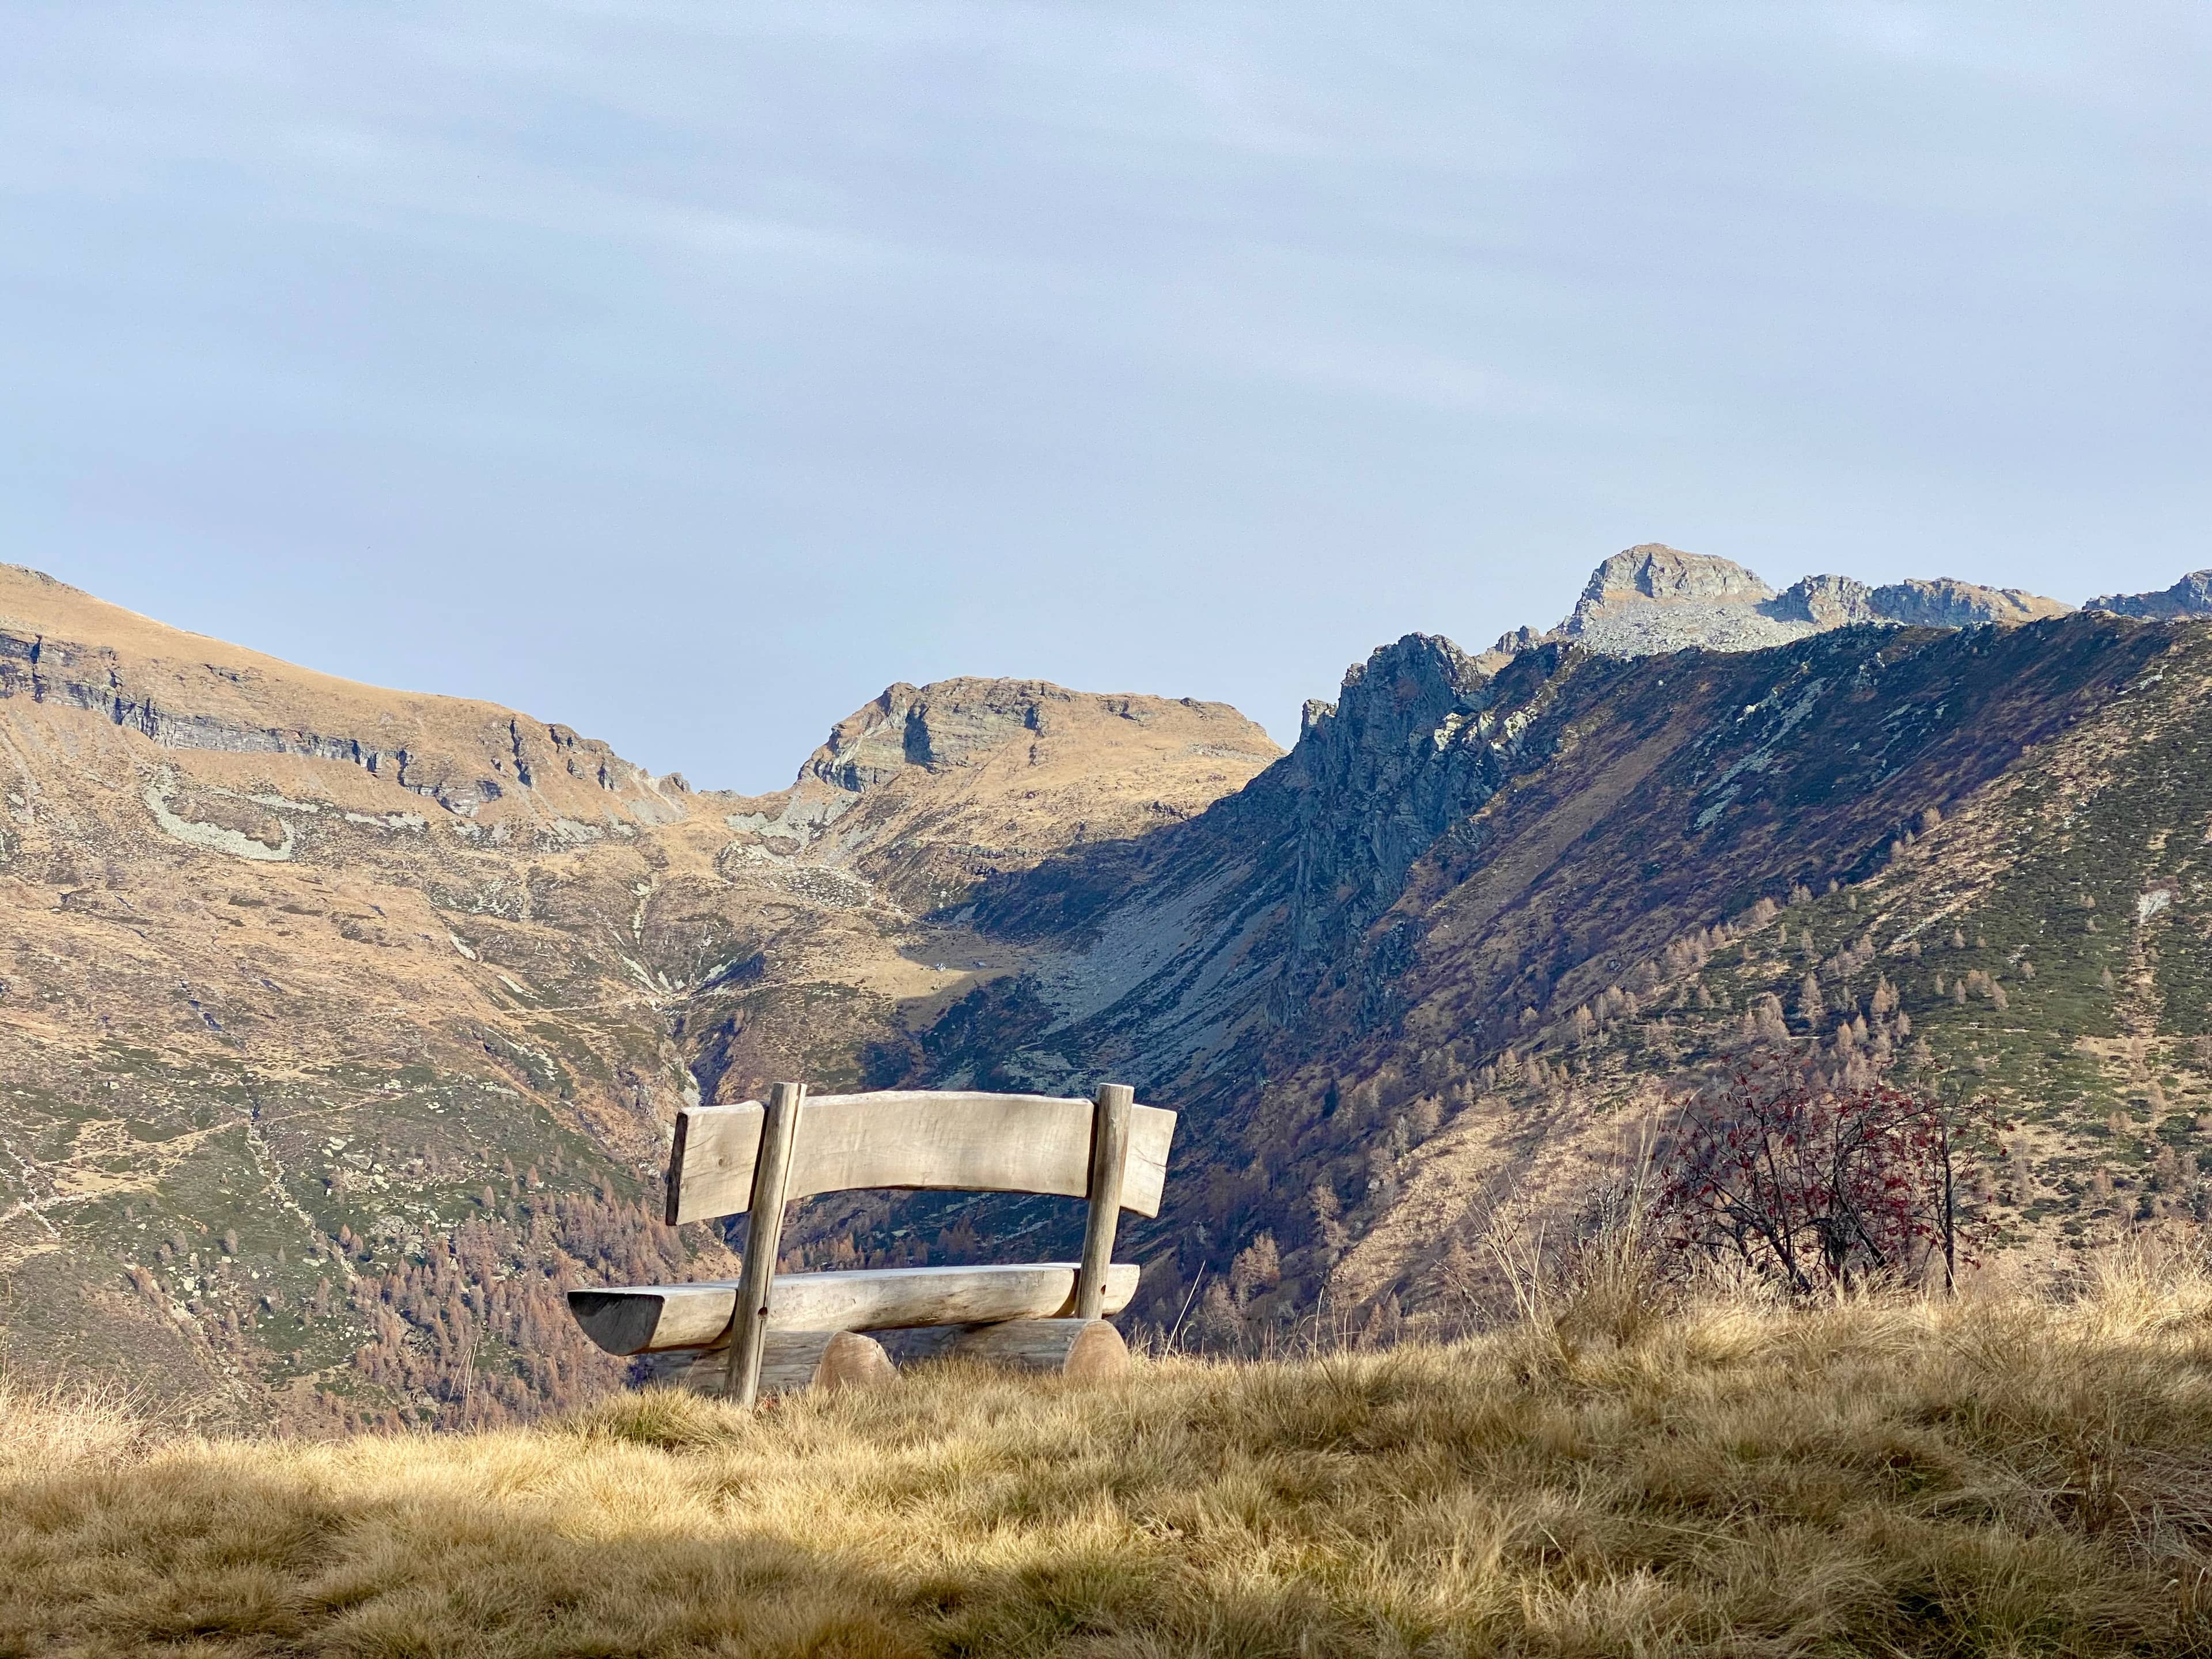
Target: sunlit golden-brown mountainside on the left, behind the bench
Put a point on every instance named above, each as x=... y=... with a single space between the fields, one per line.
x=344 y=1027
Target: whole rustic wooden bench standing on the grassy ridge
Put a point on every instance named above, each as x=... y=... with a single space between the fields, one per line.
x=773 y=1335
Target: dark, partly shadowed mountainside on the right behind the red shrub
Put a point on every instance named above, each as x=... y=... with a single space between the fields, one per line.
x=1443 y=957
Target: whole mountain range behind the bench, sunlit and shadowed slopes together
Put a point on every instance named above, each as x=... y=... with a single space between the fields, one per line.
x=344 y=1030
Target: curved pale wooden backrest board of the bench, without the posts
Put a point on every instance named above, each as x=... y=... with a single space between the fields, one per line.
x=912 y=1138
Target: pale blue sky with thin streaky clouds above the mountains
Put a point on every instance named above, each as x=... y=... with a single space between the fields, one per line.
x=687 y=373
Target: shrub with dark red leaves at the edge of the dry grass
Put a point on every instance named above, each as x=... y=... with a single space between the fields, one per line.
x=1824 y=1187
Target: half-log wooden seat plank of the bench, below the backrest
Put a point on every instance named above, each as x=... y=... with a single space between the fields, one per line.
x=654 y=1319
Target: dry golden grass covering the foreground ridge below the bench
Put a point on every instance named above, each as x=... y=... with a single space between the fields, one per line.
x=1992 y=1477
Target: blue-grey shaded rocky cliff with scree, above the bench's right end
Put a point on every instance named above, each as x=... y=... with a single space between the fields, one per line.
x=1167 y=954
